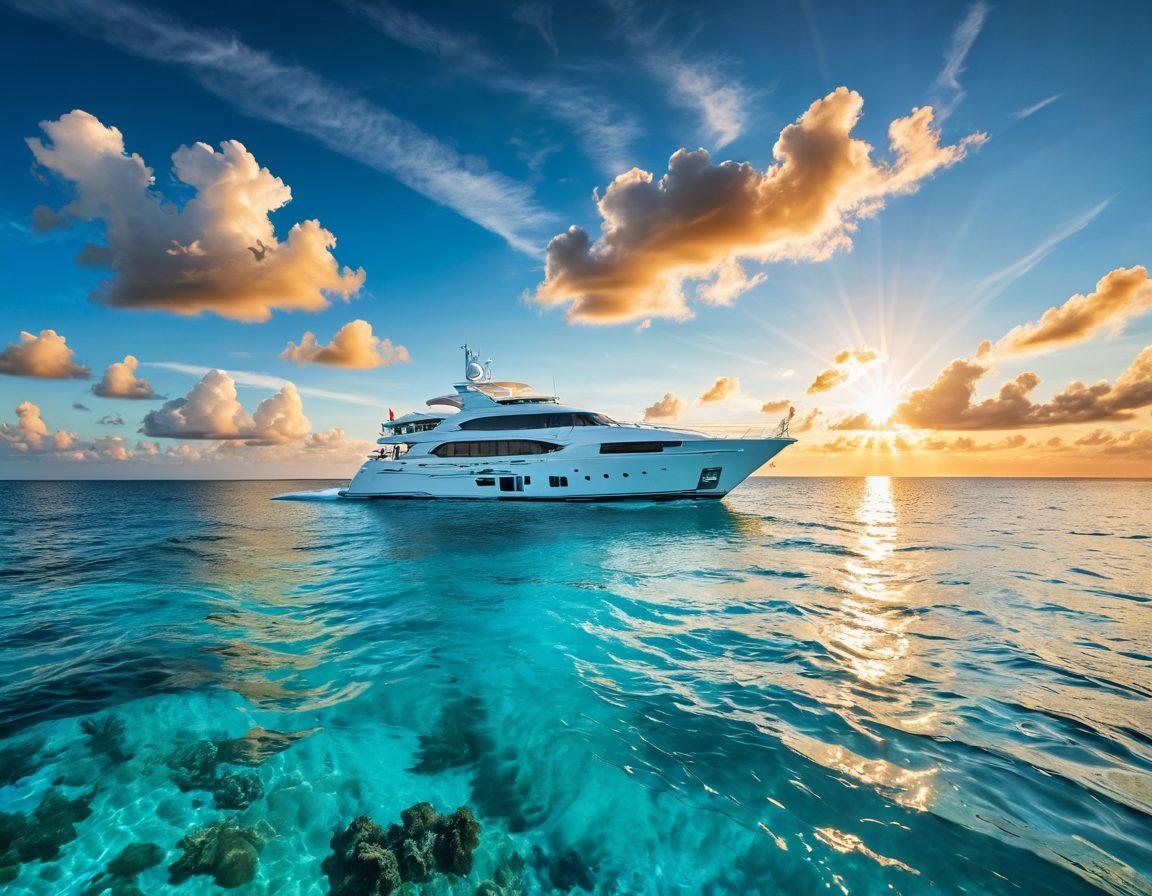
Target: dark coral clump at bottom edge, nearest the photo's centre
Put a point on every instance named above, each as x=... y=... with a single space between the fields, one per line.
x=368 y=861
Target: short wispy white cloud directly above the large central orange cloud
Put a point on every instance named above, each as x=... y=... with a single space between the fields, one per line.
x=721 y=102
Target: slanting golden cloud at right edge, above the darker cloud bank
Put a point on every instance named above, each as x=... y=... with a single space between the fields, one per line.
x=1119 y=295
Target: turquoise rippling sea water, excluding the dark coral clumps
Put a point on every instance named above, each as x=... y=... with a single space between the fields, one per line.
x=820 y=686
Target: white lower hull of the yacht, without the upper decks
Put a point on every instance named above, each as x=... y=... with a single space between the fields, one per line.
x=699 y=469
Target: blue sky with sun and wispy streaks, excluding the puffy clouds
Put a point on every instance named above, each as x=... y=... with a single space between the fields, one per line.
x=458 y=139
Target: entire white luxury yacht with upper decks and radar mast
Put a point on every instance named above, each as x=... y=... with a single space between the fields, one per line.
x=505 y=442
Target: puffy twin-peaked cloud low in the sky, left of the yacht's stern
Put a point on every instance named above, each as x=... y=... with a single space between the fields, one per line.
x=211 y=411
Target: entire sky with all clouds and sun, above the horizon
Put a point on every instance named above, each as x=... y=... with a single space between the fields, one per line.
x=232 y=241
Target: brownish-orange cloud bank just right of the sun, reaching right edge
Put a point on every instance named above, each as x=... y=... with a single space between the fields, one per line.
x=949 y=403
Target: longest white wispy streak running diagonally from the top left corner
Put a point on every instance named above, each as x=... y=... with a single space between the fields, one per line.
x=261 y=86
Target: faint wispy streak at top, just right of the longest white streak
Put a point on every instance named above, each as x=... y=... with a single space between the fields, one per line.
x=604 y=131
